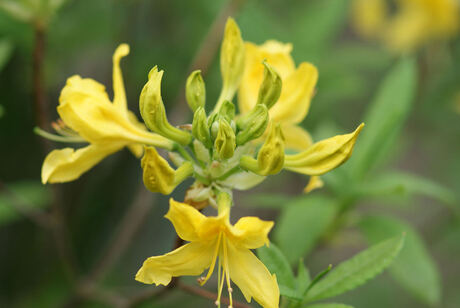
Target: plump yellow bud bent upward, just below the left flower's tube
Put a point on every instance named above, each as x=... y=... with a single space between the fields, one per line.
x=159 y=176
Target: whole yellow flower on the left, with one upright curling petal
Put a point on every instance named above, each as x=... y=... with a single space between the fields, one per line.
x=84 y=106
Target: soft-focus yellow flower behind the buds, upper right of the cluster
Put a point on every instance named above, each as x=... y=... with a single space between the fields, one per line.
x=296 y=93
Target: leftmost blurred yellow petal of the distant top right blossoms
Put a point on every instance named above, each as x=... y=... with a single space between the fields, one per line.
x=369 y=16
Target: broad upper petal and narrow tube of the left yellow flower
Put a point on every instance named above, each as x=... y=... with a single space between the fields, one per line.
x=97 y=120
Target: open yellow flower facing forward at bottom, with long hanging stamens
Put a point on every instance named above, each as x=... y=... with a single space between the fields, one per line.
x=214 y=241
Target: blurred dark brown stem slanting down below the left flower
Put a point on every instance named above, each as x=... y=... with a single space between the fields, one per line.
x=130 y=224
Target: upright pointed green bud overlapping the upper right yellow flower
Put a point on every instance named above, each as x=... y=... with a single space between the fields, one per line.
x=270 y=89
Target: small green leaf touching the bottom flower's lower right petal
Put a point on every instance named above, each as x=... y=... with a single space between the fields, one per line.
x=277 y=263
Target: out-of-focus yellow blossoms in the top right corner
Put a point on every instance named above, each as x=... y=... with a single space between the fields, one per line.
x=413 y=23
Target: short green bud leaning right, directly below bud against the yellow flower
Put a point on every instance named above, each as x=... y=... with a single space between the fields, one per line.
x=252 y=125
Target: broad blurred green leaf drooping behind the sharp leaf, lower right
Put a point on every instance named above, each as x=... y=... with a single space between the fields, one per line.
x=414 y=269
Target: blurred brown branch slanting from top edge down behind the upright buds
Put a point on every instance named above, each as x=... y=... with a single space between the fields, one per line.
x=205 y=55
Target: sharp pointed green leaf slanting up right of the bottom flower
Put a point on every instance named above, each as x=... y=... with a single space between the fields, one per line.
x=357 y=270
